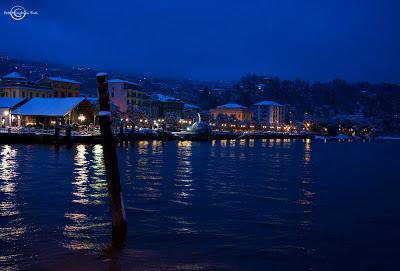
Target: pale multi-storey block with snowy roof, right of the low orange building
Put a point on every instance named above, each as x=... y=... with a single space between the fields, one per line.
x=269 y=112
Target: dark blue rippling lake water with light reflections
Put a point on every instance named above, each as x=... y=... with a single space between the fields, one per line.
x=225 y=205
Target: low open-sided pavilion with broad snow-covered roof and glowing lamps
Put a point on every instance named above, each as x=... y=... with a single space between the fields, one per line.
x=46 y=111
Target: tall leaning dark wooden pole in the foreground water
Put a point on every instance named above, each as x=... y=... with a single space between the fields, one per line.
x=119 y=227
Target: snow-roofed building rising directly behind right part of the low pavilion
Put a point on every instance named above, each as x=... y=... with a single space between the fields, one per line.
x=61 y=87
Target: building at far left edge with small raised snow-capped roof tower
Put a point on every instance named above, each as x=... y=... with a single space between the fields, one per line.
x=14 y=85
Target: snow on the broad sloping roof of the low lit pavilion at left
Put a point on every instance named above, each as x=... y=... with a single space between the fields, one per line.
x=54 y=107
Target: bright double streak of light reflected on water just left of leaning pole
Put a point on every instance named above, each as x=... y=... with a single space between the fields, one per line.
x=89 y=189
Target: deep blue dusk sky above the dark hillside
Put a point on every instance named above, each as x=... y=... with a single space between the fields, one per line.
x=213 y=39
